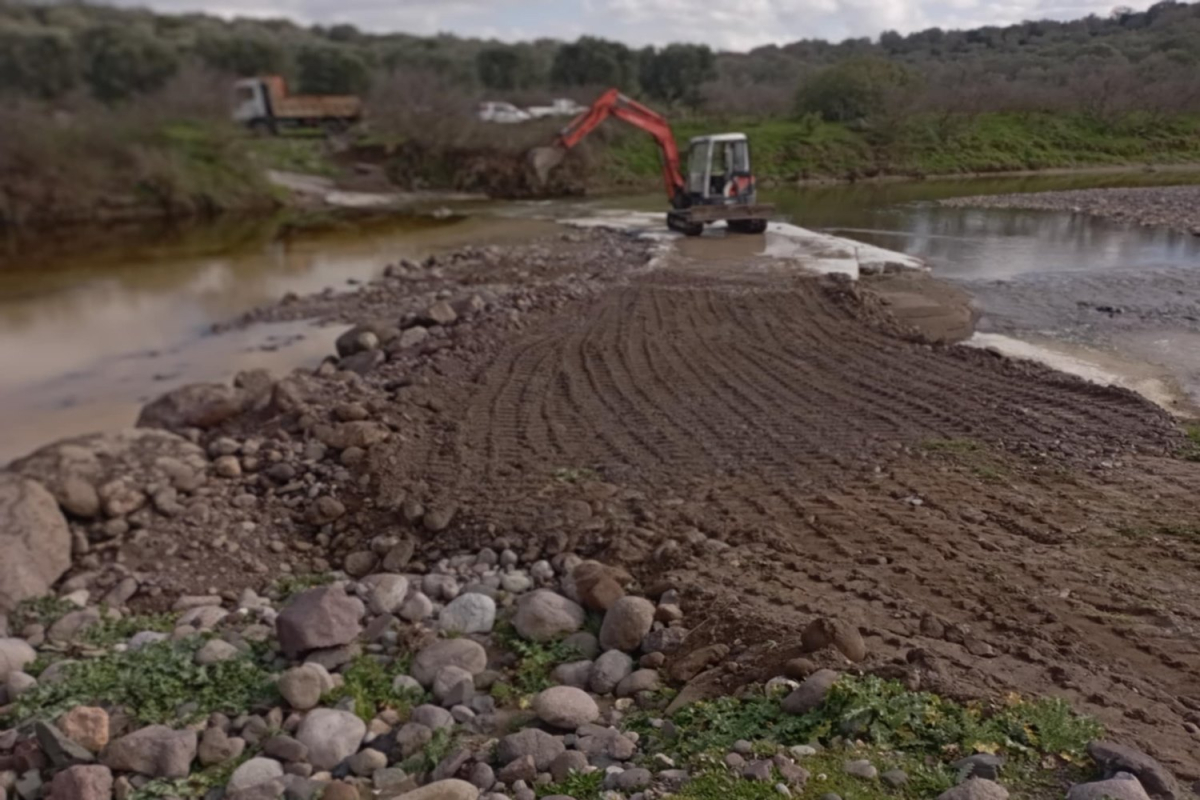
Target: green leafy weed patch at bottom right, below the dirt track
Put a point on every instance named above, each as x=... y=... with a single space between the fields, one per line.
x=917 y=732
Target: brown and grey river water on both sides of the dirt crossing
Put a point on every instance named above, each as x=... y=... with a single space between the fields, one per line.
x=93 y=326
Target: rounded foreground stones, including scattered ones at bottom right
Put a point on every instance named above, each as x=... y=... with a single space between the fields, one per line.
x=441 y=732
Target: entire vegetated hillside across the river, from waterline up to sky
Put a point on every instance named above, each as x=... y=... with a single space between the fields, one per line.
x=127 y=110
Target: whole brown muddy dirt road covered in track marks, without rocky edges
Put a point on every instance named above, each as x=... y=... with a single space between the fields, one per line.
x=777 y=447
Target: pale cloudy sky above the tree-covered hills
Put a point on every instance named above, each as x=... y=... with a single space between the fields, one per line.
x=728 y=25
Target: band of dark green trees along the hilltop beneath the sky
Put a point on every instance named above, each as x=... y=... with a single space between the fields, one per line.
x=1105 y=67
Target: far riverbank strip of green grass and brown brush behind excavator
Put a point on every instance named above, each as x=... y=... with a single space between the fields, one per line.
x=121 y=170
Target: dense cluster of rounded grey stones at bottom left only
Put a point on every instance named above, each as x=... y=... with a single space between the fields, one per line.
x=446 y=618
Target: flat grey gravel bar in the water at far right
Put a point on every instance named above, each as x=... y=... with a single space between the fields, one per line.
x=1177 y=208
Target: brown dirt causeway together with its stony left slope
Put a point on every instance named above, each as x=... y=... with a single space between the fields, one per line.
x=775 y=446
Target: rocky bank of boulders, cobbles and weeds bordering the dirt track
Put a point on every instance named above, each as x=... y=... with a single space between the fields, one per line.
x=256 y=596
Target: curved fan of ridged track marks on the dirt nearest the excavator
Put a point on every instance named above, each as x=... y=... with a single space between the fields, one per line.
x=671 y=378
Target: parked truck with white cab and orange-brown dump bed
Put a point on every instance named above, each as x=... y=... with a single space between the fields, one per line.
x=265 y=106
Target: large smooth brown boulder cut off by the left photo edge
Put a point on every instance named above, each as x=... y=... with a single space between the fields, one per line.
x=34 y=539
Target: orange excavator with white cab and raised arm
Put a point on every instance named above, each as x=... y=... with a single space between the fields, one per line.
x=719 y=185
